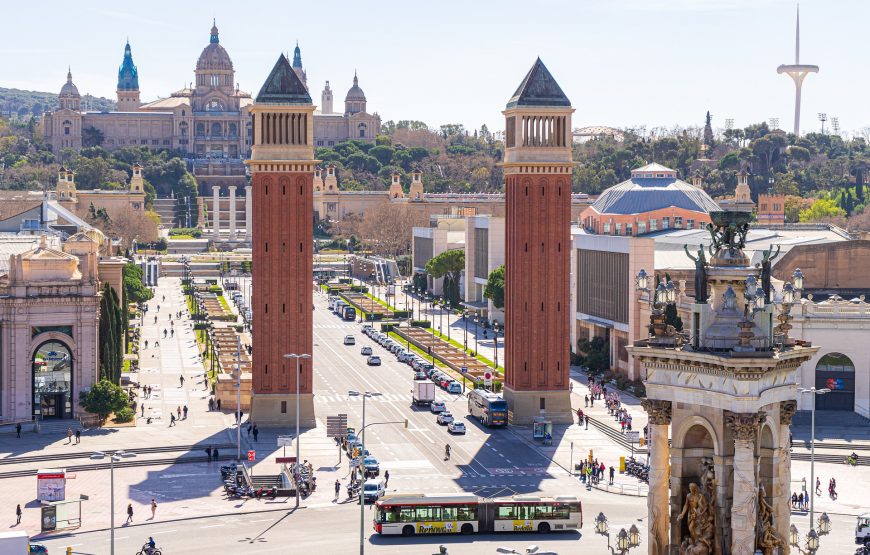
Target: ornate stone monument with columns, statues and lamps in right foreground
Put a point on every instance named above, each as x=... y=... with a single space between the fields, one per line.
x=725 y=389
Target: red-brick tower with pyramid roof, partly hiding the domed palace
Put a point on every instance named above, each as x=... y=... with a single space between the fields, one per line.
x=282 y=168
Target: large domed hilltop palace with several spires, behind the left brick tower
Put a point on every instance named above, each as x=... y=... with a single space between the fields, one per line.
x=208 y=121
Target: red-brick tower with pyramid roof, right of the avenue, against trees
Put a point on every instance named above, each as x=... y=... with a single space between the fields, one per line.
x=537 y=167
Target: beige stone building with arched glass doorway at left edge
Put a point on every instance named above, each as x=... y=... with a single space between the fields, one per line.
x=49 y=328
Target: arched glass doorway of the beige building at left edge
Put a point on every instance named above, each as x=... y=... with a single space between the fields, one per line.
x=52 y=380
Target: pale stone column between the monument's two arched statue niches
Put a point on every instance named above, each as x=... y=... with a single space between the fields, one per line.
x=744 y=504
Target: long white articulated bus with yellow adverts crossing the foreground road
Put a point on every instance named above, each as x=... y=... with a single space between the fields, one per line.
x=466 y=513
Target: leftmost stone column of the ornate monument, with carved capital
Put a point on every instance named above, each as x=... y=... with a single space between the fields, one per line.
x=658 y=501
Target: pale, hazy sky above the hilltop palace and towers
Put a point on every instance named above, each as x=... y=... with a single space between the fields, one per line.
x=623 y=63
